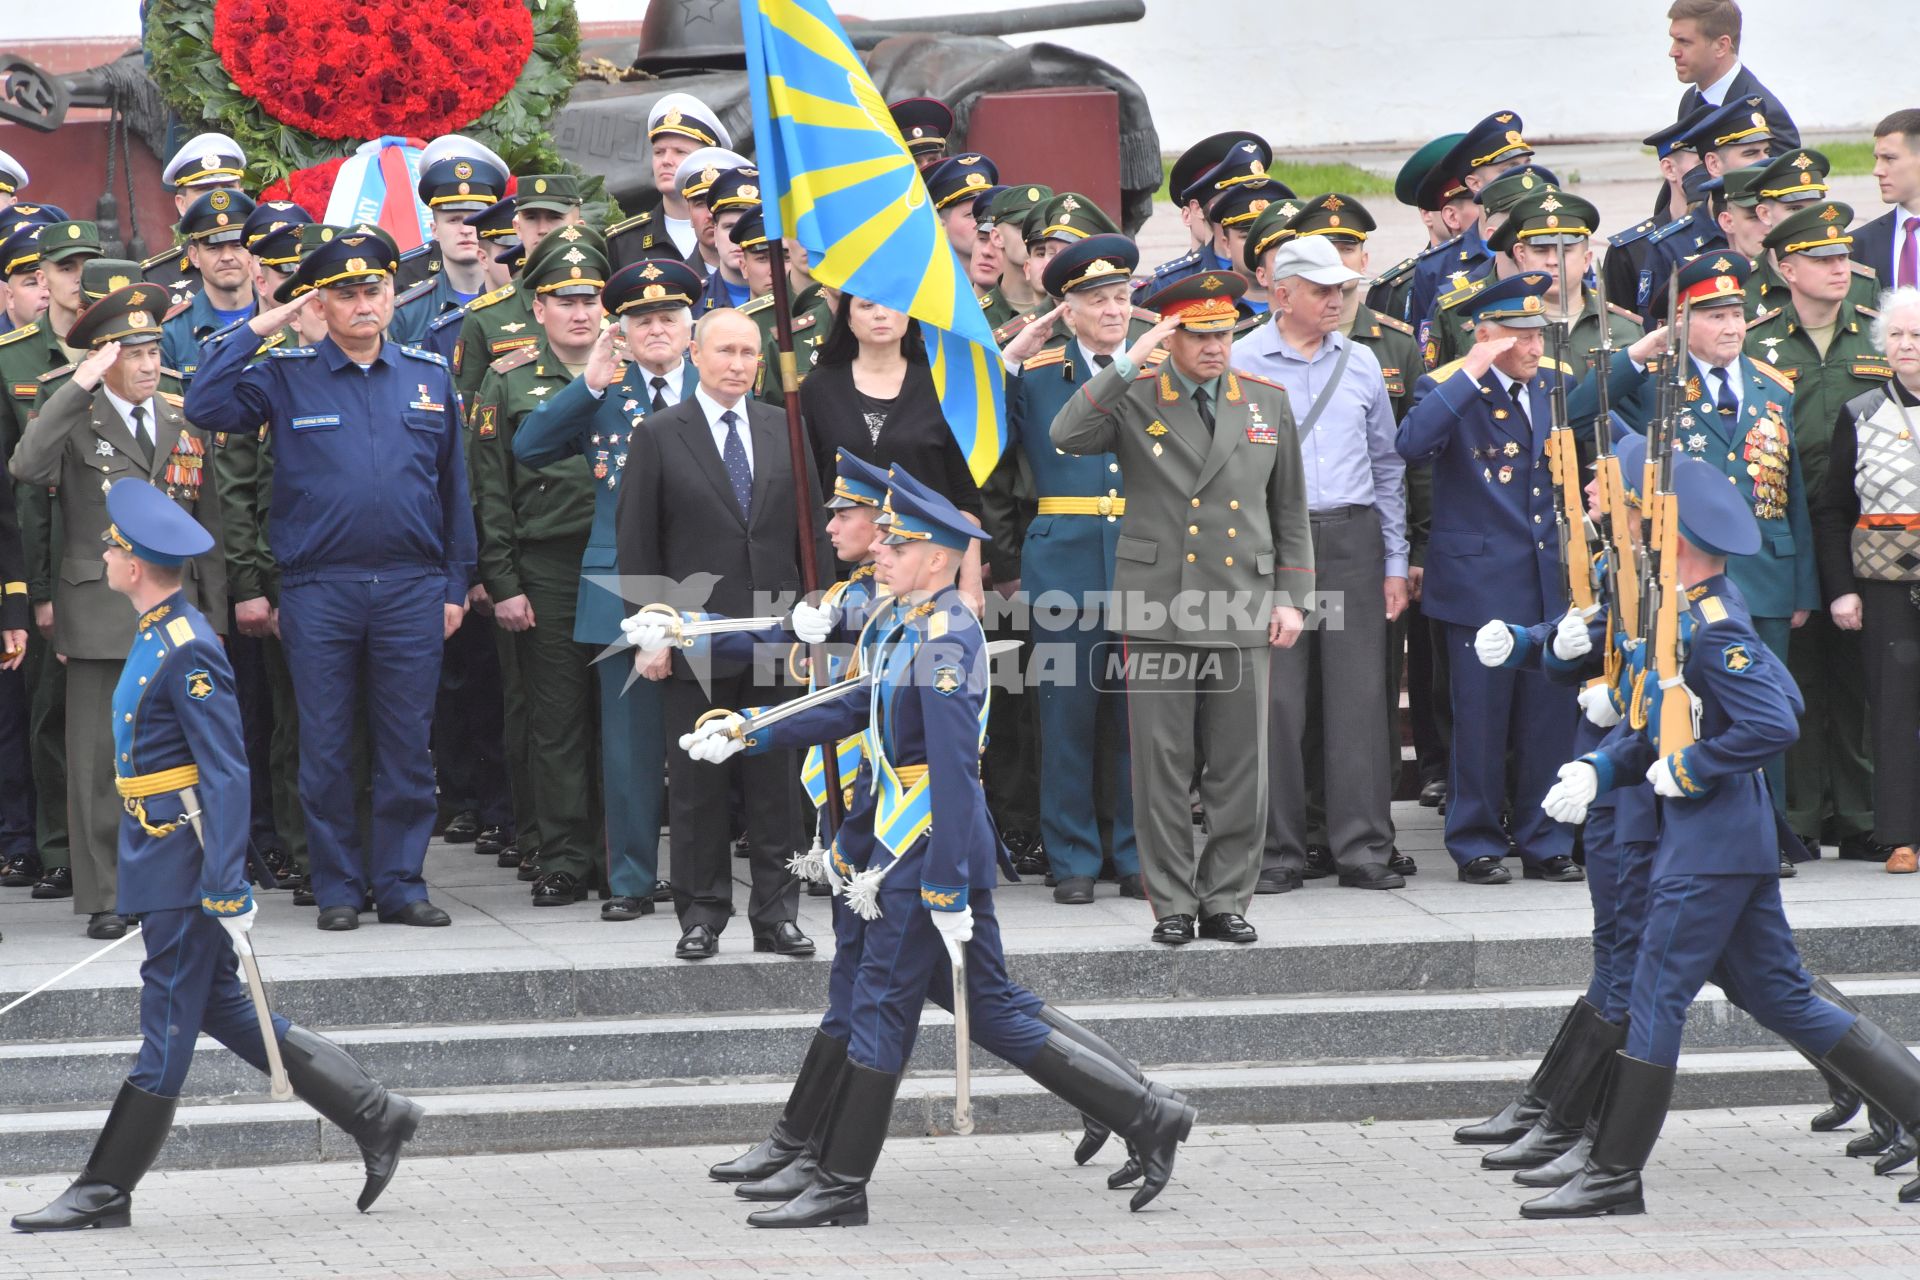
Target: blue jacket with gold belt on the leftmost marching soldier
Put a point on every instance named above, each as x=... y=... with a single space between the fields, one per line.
x=176 y=707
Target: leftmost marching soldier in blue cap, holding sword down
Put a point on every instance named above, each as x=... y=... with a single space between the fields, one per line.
x=183 y=830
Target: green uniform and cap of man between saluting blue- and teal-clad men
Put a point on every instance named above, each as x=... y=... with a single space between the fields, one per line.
x=535 y=525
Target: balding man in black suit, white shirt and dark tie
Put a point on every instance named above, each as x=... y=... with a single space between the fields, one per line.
x=709 y=498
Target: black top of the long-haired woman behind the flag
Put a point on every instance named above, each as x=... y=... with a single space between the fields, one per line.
x=907 y=431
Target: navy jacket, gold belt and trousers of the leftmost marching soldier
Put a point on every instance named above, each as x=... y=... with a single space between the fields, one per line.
x=178 y=724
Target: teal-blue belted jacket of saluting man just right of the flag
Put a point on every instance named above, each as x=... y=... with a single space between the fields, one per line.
x=1070 y=554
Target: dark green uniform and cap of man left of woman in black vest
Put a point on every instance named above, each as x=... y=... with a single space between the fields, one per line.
x=1831 y=772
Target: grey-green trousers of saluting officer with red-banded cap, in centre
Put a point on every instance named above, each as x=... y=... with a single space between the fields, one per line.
x=1166 y=688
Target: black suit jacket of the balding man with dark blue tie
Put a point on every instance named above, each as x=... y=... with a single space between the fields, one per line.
x=677 y=519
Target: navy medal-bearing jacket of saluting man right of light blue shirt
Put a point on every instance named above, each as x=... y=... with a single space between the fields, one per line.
x=1493 y=550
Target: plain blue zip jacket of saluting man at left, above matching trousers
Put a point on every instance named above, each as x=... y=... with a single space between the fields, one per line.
x=370 y=477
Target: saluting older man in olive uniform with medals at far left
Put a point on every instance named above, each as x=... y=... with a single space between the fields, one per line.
x=105 y=423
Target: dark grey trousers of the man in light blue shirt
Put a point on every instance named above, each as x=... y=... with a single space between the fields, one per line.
x=1339 y=659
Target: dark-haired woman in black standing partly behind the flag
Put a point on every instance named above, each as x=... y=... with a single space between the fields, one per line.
x=873 y=396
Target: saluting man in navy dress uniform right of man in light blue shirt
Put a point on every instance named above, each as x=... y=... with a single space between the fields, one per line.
x=1483 y=423
